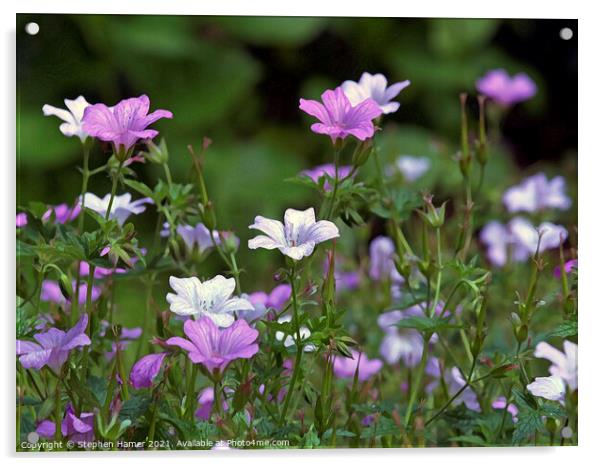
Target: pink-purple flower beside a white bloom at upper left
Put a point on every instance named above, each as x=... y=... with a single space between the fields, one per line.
x=124 y=124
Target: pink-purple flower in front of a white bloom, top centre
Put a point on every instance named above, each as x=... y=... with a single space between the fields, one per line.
x=338 y=118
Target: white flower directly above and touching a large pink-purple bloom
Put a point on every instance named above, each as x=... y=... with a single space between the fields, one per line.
x=212 y=298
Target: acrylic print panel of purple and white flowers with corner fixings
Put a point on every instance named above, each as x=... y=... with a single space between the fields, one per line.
x=270 y=232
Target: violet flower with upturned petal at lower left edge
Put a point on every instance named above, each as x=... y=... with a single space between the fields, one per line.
x=54 y=346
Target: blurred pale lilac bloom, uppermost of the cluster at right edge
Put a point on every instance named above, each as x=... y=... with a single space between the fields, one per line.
x=536 y=193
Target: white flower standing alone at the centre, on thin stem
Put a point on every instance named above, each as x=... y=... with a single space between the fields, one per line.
x=297 y=237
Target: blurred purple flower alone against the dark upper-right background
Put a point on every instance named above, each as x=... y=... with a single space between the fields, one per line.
x=506 y=90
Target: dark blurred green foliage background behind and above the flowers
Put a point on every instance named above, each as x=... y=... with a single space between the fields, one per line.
x=238 y=81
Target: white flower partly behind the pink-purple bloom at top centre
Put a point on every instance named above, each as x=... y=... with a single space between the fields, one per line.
x=374 y=86
